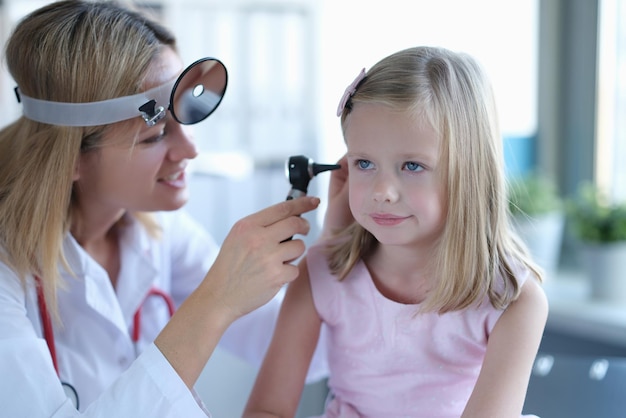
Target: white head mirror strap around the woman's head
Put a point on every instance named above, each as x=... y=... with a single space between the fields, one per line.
x=151 y=105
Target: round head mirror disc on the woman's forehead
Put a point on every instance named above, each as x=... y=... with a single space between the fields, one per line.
x=198 y=91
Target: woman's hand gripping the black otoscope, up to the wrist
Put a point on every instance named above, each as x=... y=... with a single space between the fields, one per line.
x=254 y=262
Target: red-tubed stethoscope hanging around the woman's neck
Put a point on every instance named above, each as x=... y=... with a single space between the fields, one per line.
x=48 y=333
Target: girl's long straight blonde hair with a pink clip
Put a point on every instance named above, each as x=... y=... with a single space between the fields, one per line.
x=478 y=245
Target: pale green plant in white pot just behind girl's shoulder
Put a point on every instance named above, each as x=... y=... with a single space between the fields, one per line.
x=538 y=217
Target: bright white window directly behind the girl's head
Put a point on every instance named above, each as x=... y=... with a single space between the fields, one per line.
x=502 y=36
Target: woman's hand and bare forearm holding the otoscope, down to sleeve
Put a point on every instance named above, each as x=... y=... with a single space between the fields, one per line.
x=253 y=264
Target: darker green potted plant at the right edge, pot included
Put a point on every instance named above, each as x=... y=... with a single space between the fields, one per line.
x=599 y=225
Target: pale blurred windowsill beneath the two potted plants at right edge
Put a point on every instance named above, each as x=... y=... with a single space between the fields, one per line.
x=572 y=311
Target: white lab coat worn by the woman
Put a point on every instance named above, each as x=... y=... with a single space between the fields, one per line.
x=113 y=376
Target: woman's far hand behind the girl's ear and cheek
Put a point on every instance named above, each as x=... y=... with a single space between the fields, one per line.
x=338 y=214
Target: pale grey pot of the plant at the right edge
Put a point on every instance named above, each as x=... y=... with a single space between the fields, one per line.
x=605 y=266
